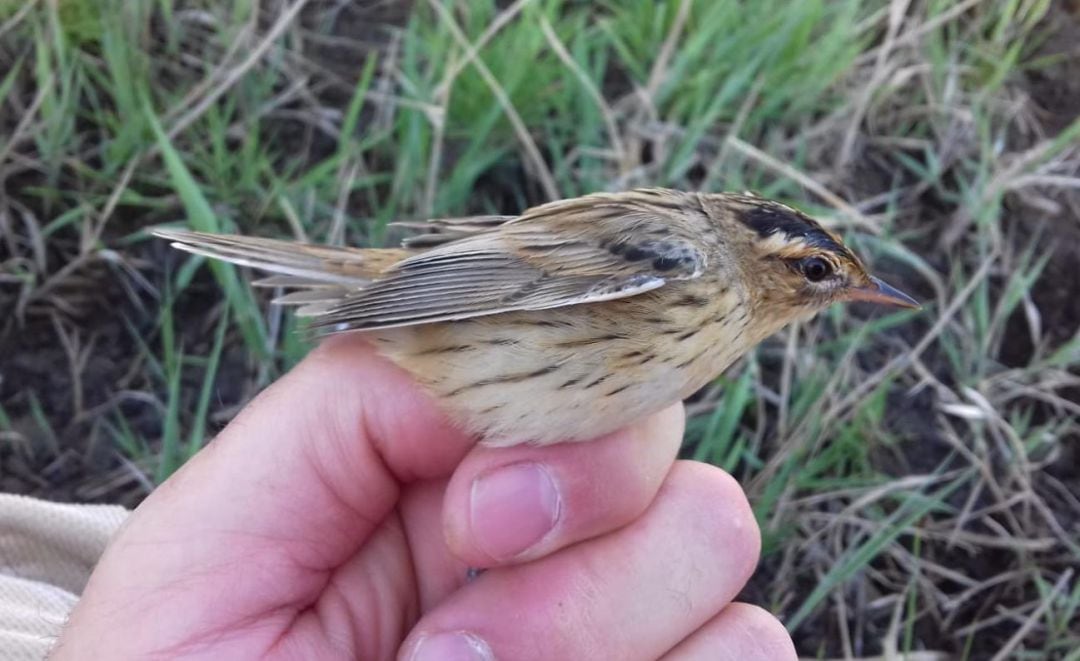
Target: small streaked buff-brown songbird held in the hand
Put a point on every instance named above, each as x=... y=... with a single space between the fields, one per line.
x=577 y=317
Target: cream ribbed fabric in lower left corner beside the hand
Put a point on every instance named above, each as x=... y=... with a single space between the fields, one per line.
x=47 y=554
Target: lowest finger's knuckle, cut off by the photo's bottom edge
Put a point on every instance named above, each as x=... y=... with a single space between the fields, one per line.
x=741 y=632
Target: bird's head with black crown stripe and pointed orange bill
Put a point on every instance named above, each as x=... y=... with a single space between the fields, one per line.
x=793 y=265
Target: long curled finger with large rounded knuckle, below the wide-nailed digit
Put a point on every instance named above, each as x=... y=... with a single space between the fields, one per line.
x=632 y=595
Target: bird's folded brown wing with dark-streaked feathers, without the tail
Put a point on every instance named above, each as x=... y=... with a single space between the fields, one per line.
x=589 y=250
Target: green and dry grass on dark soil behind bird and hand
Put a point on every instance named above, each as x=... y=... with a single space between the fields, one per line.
x=916 y=476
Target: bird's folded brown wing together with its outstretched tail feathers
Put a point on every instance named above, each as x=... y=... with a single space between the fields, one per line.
x=588 y=250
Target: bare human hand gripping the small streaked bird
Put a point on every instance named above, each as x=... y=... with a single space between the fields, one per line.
x=337 y=517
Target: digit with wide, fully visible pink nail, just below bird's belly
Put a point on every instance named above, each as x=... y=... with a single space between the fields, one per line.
x=509 y=505
